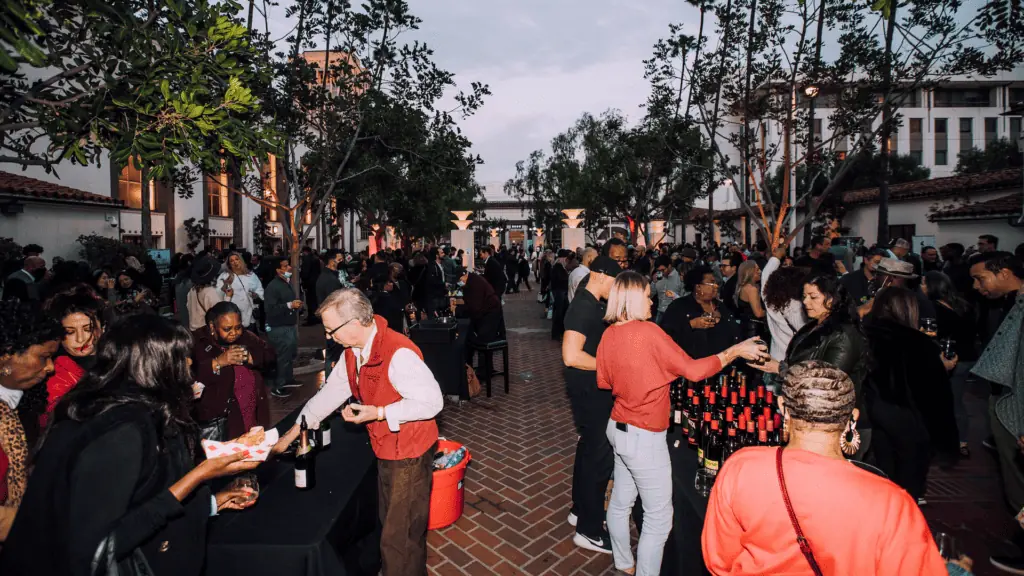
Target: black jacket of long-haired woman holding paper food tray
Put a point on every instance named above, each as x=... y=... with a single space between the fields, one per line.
x=109 y=475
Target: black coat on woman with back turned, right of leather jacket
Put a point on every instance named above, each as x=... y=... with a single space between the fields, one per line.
x=908 y=390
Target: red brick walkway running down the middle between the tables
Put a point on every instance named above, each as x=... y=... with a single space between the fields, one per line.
x=518 y=486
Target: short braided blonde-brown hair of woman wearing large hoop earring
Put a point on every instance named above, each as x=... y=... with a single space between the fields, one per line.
x=820 y=394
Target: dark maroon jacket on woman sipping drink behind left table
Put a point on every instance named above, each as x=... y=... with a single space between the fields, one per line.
x=219 y=396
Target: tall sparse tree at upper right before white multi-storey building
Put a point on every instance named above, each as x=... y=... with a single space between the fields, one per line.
x=885 y=58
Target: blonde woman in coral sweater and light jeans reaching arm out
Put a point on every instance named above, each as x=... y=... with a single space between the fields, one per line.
x=637 y=361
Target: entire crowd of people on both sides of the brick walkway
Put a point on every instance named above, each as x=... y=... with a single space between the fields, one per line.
x=98 y=366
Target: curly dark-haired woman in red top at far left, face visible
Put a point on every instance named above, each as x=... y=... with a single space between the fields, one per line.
x=80 y=312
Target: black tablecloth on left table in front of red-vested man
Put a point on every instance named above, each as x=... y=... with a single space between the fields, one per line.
x=330 y=530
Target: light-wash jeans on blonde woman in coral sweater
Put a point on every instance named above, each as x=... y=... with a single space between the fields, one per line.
x=643 y=467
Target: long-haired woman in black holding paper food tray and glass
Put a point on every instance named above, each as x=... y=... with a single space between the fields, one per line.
x=116 y=485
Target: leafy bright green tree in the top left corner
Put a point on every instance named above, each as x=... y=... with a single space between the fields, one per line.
x=158 y=84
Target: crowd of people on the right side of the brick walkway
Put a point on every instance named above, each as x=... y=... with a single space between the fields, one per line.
x=854 y=347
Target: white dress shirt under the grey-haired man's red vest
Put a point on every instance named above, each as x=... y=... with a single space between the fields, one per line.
x=421 y=395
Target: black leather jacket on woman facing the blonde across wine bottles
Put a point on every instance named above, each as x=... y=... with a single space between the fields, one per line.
x=841 y=345
